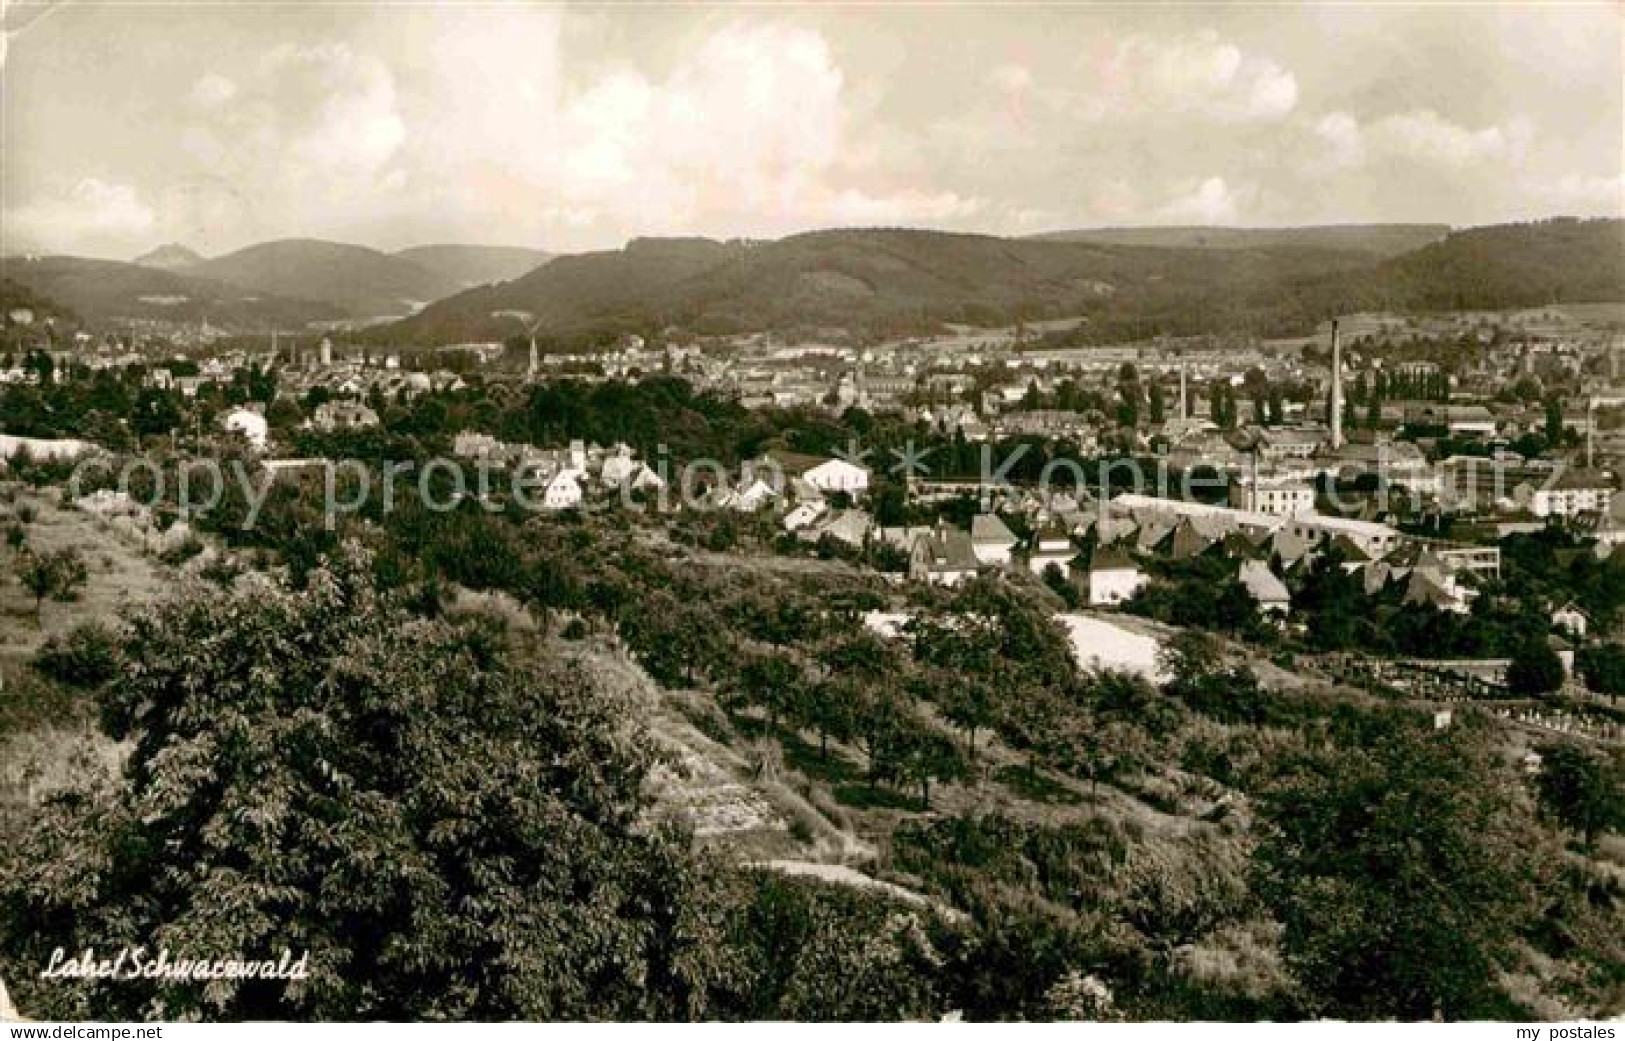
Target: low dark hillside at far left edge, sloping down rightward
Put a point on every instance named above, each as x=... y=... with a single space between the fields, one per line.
x=111 y=292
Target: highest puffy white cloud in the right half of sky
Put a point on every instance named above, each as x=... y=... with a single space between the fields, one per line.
x=1198 y=74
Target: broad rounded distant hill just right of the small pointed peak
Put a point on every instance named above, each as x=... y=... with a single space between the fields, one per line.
x=360 y=282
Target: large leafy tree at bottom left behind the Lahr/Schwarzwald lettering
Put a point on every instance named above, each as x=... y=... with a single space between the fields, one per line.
x=449 y=834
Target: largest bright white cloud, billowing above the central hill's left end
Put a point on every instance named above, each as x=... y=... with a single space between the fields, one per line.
x=748 y=132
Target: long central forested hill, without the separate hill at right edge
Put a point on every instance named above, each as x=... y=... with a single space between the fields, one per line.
x=882 y=282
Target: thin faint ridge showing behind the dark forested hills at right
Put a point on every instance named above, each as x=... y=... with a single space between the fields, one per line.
x=1377 y=240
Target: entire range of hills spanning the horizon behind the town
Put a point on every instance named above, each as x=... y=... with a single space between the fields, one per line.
x=872 y=282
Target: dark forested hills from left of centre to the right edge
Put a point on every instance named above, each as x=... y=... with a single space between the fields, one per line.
x=890 y=282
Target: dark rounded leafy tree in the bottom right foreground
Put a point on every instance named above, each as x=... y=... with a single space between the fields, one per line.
x=1403 y=870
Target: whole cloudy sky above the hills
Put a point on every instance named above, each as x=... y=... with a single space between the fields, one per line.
x=568 y=129
